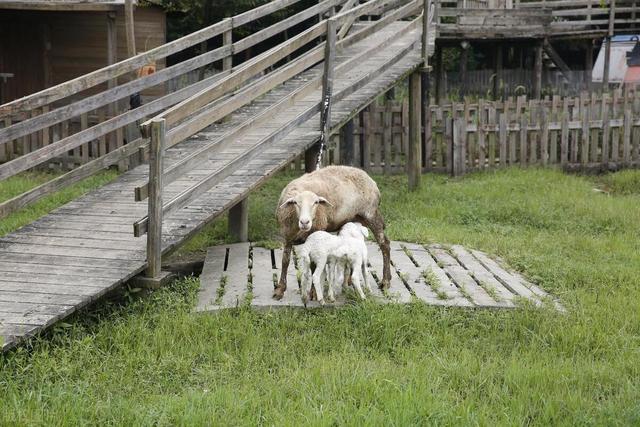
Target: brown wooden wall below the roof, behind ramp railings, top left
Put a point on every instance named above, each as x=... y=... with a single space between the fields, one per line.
x=78 y=45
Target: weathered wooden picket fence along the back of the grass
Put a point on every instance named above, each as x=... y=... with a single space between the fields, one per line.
x=578 y=133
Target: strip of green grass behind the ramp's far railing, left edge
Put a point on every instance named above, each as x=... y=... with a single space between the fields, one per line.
x=18 y=184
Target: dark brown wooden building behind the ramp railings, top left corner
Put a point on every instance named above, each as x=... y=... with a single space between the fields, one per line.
x=47 y=42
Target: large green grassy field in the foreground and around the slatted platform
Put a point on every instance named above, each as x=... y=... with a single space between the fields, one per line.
x=148 y=360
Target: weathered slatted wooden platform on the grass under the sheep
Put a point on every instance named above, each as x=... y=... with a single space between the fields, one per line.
x=241 y=274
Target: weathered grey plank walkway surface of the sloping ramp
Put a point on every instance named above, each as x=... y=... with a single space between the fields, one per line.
x=80 y=251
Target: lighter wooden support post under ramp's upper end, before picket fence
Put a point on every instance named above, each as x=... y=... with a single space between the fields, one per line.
x=414 y=157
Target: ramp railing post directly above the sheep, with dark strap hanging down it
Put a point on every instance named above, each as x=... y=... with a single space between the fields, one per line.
x=327 y=88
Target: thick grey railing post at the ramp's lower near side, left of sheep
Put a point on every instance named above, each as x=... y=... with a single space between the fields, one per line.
x=154 y=234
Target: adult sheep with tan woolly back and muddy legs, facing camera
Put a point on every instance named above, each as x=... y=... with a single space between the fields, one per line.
x=326 y=199
